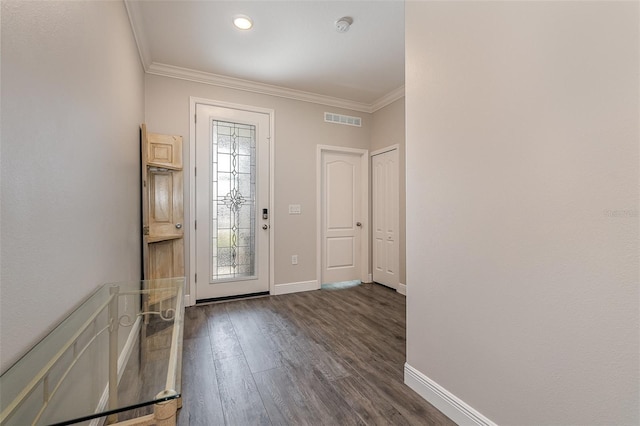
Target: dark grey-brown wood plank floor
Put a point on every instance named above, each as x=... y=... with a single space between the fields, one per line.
x=326 y=357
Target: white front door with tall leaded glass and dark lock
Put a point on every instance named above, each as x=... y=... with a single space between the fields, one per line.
x=232 y=201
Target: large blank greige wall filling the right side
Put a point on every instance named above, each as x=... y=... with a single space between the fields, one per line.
x=522 y=201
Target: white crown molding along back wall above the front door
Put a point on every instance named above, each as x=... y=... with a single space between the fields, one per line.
x=251 y=86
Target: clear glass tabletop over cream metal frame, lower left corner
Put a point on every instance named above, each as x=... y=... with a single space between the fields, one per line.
x=127 y=334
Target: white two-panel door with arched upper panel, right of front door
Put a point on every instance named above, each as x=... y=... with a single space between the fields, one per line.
x=343 y=216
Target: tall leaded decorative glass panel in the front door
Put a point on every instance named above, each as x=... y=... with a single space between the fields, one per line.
x=233 y=195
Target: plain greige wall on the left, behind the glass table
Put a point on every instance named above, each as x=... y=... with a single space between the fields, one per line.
x=72 y=103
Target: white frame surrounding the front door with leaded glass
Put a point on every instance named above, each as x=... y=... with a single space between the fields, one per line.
x=193 y=101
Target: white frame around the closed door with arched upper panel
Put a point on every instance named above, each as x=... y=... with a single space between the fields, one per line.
x=365 y=274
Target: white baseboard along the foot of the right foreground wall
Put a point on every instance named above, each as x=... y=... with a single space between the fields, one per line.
x=452 y=406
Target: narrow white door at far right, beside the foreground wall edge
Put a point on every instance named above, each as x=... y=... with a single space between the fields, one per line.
x=386 y=204
